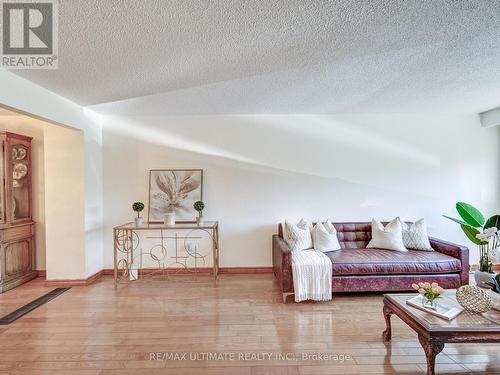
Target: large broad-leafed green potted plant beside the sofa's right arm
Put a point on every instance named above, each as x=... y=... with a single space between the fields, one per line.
x=483 y=233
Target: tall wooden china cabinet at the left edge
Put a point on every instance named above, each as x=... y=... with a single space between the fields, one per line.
x=17 y=228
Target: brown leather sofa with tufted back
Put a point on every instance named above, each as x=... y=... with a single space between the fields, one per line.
x=358 y=269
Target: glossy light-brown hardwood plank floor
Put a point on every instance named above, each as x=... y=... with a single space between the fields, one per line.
x=95 y=330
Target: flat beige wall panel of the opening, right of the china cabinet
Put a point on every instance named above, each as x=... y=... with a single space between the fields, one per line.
x=64 y=203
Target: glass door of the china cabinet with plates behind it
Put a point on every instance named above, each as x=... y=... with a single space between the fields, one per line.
x=20 y=182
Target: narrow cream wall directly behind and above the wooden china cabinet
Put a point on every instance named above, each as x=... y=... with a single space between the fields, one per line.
x=33 y=128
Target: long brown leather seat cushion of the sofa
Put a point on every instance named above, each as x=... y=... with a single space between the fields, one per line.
x=379 y=261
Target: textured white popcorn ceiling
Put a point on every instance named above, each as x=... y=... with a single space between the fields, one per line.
x=288 y=56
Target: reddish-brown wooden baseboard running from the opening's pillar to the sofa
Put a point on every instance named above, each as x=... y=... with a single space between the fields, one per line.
x=179 y=271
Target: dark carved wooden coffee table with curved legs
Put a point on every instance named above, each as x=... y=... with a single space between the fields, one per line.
x=434 y=332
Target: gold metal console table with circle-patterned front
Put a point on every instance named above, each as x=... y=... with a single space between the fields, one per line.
x=163 y=249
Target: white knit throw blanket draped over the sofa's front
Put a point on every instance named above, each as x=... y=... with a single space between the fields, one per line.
x=312 y=275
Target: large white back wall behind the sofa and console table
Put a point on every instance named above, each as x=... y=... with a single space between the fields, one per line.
x=259 y=170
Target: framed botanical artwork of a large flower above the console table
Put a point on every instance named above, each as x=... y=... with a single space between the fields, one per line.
x=174 y=190
